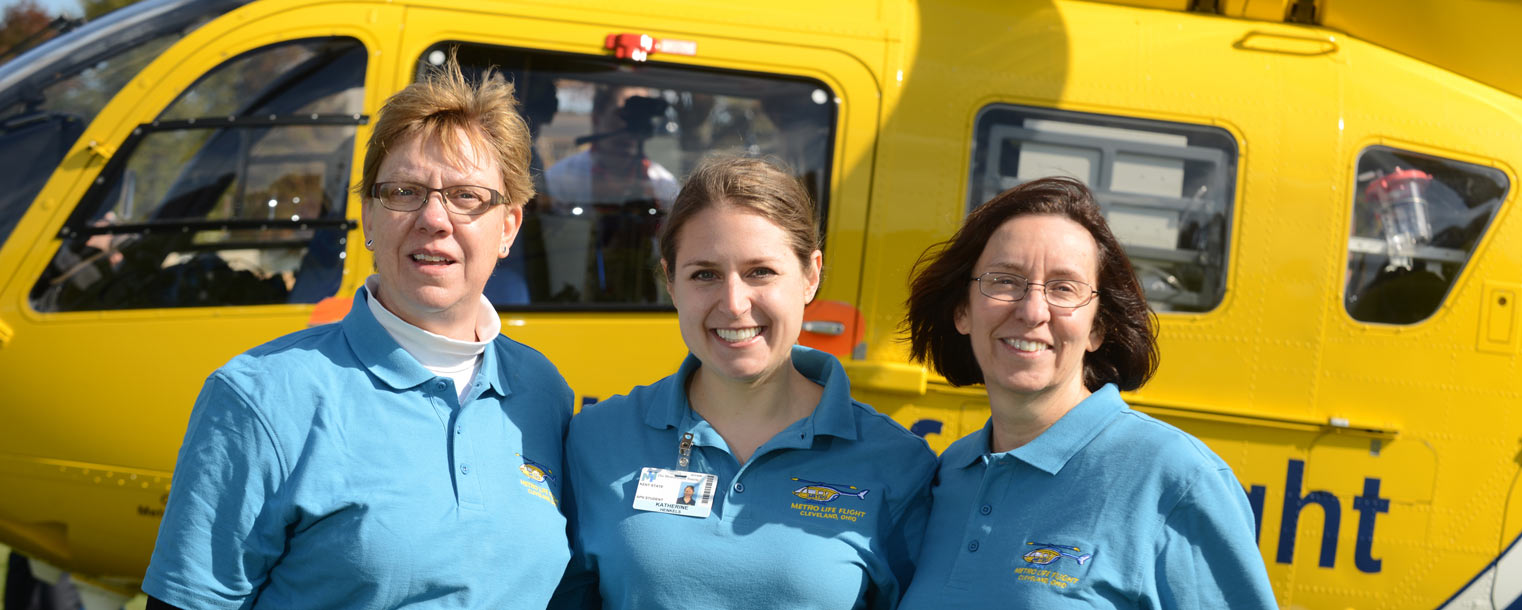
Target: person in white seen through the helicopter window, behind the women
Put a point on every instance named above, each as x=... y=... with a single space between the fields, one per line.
x=614 y=168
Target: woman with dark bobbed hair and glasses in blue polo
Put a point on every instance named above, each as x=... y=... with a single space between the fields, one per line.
x=1068 y=498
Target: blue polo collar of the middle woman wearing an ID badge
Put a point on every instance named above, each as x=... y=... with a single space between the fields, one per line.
x=833 y=416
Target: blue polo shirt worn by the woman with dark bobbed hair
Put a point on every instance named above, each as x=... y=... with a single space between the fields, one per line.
x=1109 y=509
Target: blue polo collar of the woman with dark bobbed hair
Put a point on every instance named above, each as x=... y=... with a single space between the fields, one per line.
x=1052 y=450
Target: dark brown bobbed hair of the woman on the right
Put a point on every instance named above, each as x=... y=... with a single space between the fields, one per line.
x=940 y=290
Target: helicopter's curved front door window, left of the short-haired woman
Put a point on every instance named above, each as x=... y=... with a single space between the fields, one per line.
x=234 y=195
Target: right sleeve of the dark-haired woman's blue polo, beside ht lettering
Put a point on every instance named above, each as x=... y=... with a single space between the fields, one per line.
x=1209 y=556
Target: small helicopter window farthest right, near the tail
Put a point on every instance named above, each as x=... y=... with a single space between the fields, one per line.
x=1416 y=223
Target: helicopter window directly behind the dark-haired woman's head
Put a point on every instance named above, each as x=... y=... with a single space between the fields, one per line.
x=1167 y=189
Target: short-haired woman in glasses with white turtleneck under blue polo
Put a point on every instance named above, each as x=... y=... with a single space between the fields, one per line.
x=401 y=457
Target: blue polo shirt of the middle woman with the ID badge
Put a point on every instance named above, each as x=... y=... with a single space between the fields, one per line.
x=765 y=545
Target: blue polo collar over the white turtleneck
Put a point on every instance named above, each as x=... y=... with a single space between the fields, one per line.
x=386 y=360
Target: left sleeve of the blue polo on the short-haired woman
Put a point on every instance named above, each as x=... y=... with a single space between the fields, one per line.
x=221 y=533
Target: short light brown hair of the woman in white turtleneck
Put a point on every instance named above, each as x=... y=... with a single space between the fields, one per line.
x=442 y=104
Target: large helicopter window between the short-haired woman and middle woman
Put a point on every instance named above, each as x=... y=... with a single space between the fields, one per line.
x=613 y=142
